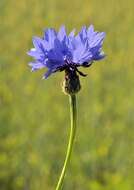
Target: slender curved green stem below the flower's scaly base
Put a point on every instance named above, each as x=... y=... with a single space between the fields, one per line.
x=73 y=115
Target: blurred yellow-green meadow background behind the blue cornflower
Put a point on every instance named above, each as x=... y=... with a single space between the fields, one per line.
x=34 y=113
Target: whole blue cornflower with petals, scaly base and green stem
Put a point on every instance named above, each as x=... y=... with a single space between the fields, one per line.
x=58 y=51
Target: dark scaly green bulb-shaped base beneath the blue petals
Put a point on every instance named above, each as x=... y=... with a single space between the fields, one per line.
x=71 y=83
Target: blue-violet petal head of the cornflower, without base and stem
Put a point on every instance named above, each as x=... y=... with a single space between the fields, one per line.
x=58 y=51
